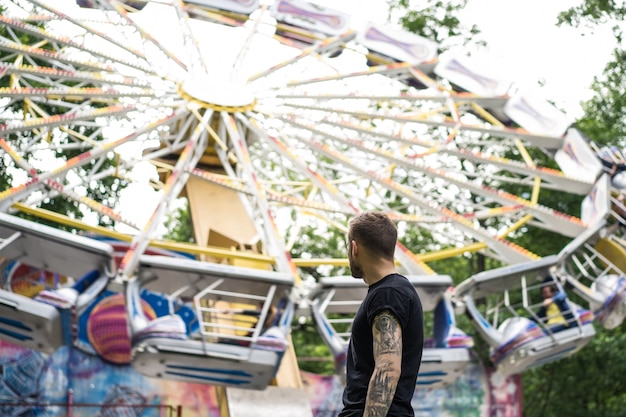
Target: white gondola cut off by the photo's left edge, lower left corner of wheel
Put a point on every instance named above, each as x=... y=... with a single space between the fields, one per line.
x=36 y=323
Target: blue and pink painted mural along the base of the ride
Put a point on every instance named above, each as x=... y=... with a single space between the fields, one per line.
x=35 y=385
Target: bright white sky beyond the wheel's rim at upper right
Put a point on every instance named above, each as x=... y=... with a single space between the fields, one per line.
x=524 y=44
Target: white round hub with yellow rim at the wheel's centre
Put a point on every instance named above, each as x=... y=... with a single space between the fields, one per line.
x=218 y=94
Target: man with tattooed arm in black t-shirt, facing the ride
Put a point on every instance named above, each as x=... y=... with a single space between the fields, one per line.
x=385 y=348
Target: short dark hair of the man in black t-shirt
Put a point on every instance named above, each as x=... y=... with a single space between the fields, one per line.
x=375 y=232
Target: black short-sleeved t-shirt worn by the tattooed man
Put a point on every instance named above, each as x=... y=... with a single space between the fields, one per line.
x=396 y=294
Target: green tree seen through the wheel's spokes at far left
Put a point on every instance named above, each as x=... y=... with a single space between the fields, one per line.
x=105 y=190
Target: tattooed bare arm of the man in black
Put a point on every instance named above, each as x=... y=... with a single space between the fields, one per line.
x=388 y=362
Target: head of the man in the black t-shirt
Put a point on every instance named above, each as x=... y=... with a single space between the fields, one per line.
x=376 y=236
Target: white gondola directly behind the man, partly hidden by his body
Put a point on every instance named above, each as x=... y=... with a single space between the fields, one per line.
x=336 y=300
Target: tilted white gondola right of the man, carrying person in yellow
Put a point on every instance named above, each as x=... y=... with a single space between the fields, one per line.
x=503 y=303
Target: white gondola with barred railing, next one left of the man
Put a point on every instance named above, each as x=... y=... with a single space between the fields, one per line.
x=232 y=344
